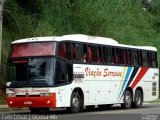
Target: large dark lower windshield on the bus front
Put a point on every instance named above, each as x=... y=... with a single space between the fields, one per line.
x=31 y=72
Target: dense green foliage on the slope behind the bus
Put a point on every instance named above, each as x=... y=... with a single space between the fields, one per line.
x=126 y=21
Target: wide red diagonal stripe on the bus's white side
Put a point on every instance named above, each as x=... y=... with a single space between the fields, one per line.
x=139 y=76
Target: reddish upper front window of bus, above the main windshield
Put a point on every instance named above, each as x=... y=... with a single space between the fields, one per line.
x=33 y=49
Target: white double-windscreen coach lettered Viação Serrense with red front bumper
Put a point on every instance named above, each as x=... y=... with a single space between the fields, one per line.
x=77 y=71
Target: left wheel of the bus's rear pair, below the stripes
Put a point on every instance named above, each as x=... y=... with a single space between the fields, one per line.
x=128 y=98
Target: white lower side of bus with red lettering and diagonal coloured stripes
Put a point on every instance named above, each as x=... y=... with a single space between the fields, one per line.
x=107 y=84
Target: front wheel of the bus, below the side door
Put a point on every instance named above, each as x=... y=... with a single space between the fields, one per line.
x=76 y=103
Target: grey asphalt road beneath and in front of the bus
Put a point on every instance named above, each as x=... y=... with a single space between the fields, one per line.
x=147 y=112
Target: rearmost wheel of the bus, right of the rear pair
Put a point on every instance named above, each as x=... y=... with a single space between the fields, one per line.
x=138 y=99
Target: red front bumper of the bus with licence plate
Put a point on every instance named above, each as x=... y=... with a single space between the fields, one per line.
x=19 y=102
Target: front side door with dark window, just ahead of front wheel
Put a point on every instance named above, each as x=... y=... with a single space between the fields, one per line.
x=63 y=78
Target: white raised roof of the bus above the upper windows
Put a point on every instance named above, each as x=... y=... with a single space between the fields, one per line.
x=83 y=38
